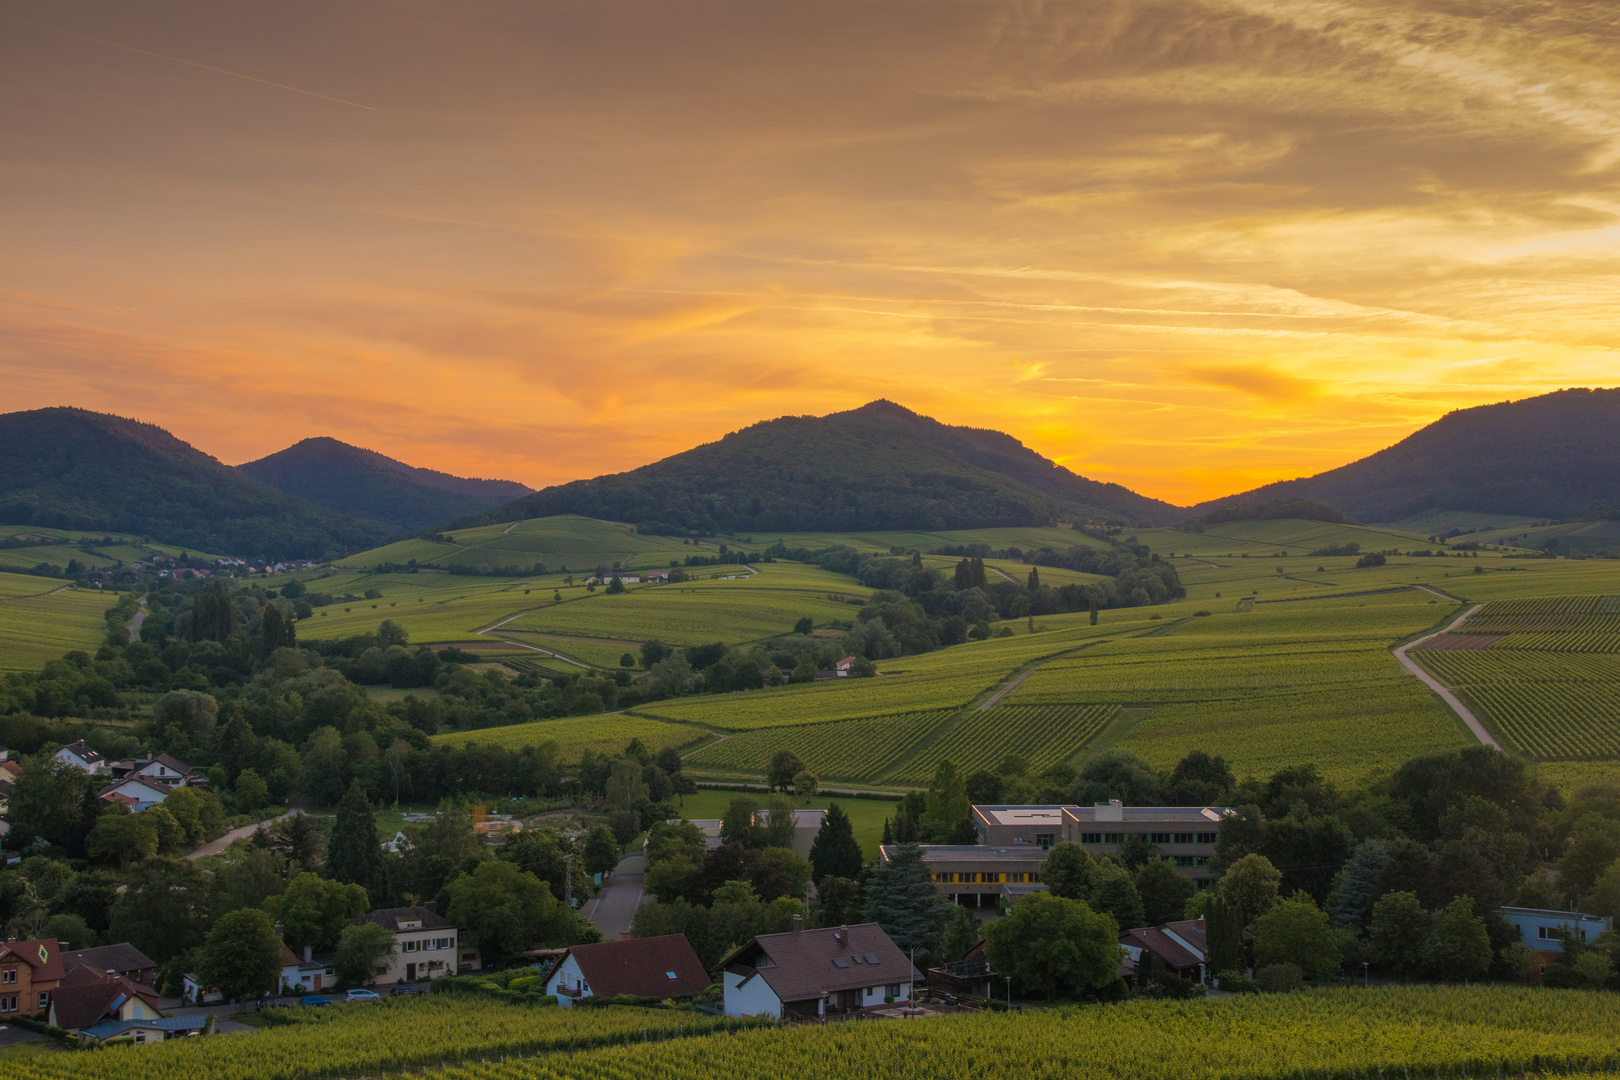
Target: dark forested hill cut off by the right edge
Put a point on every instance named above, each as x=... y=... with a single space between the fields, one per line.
x=1556 y=456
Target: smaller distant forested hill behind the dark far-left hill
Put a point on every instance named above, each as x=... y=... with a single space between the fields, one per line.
x=369 y=485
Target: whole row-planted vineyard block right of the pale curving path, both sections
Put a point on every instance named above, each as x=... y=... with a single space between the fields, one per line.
x=1548 y=686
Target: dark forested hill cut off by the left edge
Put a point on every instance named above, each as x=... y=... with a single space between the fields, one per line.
x=80 y=470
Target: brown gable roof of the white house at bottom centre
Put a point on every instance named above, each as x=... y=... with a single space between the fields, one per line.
x=806 y=964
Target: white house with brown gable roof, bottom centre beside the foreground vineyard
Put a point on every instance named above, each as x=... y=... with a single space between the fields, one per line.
x=806 y=974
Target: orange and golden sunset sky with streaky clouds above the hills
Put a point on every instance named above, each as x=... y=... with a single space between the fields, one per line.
x=1190 y=247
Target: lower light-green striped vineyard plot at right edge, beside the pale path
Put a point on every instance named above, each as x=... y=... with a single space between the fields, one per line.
x=1550 y=705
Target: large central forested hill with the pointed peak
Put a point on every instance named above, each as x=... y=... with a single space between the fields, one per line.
x=879 y=467
